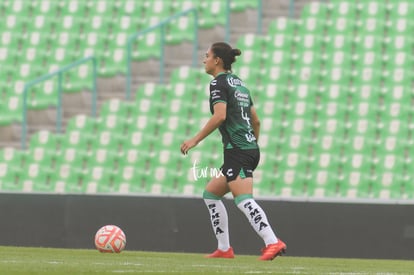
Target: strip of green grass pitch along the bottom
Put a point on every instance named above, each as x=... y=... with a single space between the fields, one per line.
x=24 y=260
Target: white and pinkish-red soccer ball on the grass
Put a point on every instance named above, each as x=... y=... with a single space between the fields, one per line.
x=110 y=238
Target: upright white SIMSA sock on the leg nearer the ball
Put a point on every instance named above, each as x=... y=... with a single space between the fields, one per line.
x=219 y=222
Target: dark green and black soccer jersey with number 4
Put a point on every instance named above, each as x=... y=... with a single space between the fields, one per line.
x=236 y=130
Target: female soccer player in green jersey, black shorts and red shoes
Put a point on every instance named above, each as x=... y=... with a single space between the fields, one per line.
x=233 y=113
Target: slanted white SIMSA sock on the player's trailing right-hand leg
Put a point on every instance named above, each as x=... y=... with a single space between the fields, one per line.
x=258 y=220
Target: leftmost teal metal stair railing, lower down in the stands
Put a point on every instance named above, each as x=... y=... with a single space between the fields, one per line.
x=59 y=73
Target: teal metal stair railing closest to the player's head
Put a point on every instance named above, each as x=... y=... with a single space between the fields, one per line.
x=161 y=27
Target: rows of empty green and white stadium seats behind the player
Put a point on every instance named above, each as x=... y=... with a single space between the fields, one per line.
x=333 y=84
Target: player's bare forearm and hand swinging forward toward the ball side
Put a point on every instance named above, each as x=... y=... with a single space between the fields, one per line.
x=212 y=124
